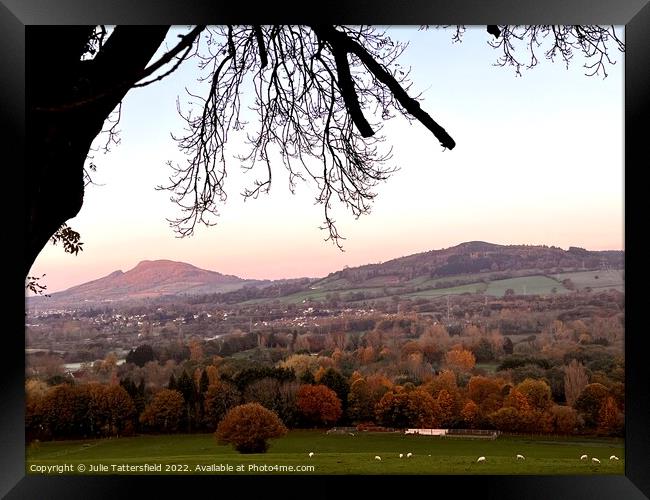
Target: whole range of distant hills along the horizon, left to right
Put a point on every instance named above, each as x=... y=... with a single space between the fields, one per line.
x=470 y=262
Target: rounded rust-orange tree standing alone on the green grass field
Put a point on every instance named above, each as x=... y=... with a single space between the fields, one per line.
x=248 y=428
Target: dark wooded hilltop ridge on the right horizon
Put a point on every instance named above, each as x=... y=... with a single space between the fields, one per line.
x=476 y=257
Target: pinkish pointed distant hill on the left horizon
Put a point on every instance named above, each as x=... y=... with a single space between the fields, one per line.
x=151 y=278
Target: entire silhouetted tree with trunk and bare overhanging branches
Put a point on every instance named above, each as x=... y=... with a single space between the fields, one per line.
x=313 y=89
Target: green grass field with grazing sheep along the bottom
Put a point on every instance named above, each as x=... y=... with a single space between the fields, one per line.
x=337 y=454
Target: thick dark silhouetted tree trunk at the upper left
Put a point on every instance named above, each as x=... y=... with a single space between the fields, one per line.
x=68 y=101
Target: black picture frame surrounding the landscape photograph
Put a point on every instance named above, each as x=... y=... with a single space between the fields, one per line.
x=634 y=14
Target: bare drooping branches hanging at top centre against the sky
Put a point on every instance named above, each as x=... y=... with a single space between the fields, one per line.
x=312 y=88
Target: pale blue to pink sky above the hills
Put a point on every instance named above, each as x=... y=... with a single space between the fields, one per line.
x=539 y=159
